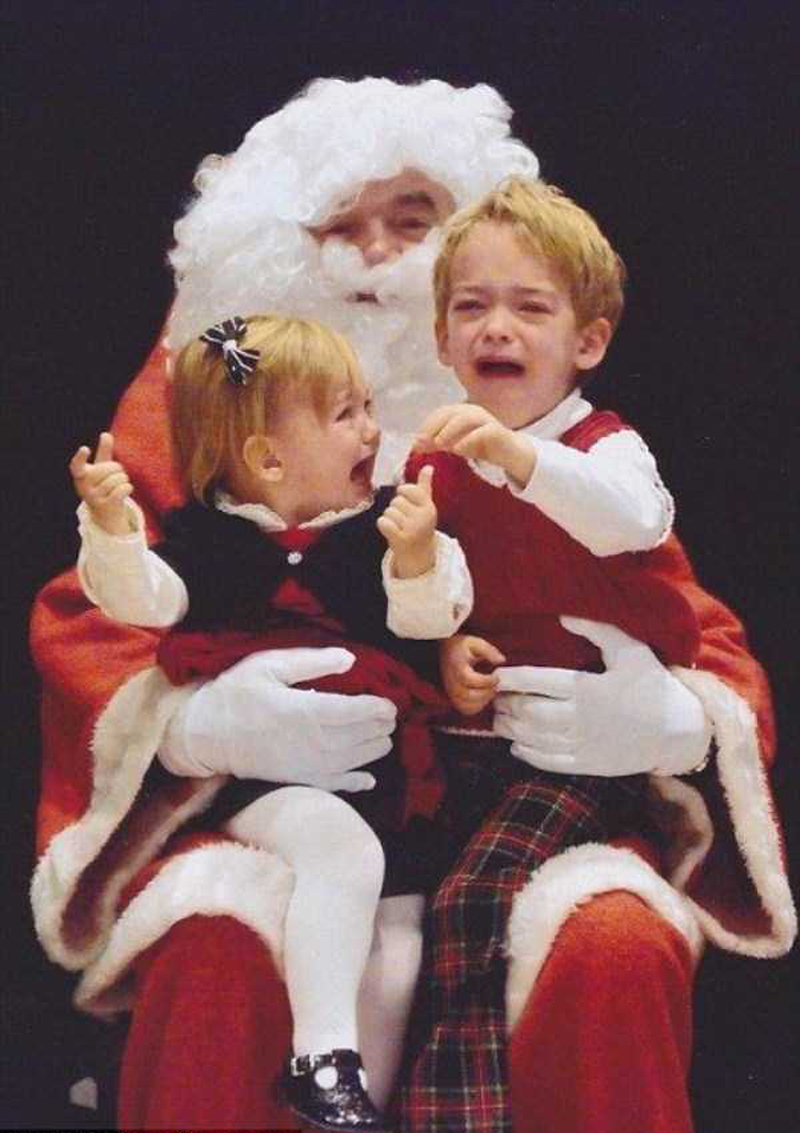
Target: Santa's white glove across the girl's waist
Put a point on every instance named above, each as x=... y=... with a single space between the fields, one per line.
x=250 y=723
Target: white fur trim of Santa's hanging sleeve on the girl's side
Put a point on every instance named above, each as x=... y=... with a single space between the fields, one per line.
x=125 y=742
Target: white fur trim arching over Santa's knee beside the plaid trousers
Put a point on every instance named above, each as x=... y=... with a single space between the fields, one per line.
x=565 y=883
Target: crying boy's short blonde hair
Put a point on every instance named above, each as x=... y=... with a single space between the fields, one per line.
x=555 y=228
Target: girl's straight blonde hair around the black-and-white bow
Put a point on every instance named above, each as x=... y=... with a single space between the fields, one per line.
x=300 y=361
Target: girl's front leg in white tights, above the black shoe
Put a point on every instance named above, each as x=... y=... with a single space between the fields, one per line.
x=338 y=865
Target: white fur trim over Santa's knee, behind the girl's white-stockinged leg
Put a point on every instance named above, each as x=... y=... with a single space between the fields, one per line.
x=214 y=881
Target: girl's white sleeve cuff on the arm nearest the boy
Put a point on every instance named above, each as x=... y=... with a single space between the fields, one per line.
x=432 y=606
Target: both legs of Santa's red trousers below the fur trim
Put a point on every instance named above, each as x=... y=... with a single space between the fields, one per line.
x=602 y=1047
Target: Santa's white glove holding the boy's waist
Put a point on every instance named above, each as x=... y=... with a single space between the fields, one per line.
x=635 y=718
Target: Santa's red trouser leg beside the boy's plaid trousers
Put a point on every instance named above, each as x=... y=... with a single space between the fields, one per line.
x=605 y=1043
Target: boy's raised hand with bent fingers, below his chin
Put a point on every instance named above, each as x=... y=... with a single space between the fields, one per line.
x=471 y=431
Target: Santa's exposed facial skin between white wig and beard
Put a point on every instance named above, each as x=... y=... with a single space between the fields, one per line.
x=387 y=218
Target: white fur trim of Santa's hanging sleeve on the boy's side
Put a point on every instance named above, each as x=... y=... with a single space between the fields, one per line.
x=745 y=786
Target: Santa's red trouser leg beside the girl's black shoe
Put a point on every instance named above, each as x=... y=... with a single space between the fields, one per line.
x=209 y=1035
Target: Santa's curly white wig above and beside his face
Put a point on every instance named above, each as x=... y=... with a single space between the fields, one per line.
x=243 y=246
